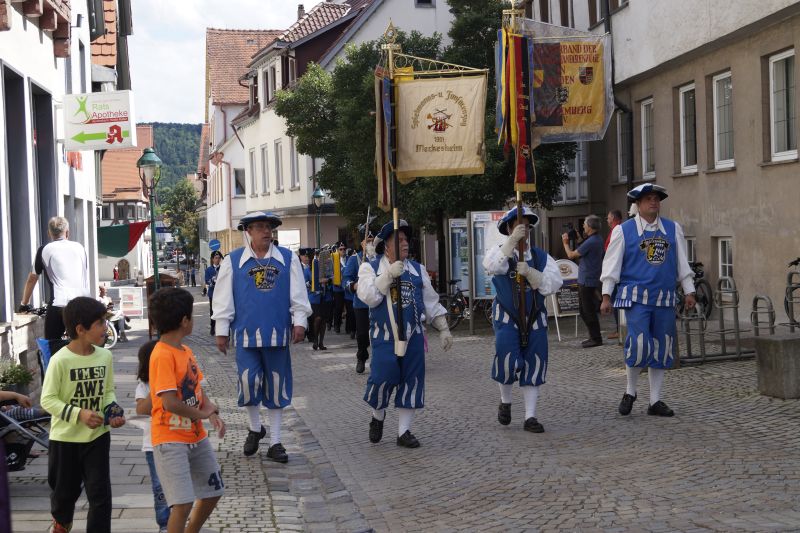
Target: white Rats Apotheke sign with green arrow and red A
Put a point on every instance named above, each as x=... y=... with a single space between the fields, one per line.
x=99 y=121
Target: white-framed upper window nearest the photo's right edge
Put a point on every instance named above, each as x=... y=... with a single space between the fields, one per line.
x=781 y=106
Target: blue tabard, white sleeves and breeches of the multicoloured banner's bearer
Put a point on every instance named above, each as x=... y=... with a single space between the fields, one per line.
x=512 y=362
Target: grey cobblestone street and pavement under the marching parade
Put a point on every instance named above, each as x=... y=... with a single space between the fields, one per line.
x=727 y=461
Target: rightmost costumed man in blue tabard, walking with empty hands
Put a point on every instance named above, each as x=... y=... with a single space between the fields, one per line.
x=645 y=260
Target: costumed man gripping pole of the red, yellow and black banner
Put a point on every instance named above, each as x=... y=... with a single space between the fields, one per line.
x=513 y=361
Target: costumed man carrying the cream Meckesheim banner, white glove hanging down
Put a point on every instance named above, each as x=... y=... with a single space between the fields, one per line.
x=398 y=364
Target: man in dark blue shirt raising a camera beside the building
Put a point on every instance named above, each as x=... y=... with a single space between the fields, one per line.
x=590 y=255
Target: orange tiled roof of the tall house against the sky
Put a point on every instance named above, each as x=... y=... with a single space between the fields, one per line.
x=228 y=53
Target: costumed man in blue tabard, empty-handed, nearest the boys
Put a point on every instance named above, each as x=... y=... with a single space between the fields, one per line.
x=261 y=302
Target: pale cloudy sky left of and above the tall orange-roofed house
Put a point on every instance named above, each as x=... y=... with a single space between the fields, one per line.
x=168 y=49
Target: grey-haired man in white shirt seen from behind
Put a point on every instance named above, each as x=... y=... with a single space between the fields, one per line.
x=65 y=266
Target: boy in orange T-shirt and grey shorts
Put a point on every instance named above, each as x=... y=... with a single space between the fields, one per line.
x=185 y=460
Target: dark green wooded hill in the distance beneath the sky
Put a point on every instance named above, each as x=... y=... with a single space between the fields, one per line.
x=178 y=146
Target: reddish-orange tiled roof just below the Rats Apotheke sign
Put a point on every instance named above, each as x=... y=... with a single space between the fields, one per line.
x=120 y=174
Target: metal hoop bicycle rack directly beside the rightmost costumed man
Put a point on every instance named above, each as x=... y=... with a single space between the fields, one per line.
x=725 y=297
